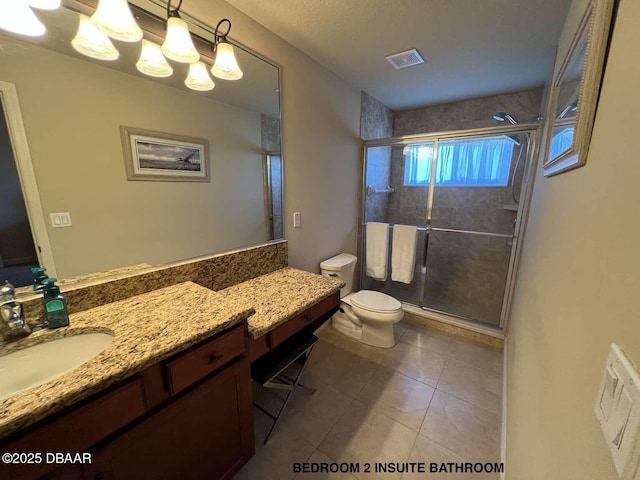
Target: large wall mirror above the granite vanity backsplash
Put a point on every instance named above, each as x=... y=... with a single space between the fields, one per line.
x=72 y=109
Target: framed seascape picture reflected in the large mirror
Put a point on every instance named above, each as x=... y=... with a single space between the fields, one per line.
x=164 y=157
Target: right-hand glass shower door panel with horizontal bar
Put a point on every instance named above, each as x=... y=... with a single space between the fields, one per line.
x=476 y=183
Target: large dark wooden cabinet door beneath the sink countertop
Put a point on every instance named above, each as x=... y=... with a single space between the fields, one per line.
x=207 y=434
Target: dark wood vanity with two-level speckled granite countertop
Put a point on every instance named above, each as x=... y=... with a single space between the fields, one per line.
x=170 y=397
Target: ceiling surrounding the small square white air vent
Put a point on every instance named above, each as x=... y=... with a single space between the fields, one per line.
x=472 y=48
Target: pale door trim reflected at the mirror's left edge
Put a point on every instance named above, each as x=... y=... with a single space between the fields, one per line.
x=22 y=155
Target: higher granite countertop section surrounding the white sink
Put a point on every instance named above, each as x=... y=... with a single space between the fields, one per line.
x=147 y=329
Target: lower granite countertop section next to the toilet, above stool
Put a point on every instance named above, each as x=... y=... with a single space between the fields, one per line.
x=280 y=296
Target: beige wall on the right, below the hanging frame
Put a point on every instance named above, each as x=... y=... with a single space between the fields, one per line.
x=577 y=286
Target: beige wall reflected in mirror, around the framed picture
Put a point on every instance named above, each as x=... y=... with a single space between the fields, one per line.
x=73 y=110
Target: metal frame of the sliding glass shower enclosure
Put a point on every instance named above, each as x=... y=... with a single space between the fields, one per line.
x=534 y=130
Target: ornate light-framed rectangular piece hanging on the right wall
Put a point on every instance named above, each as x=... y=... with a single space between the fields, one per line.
x=575 y=89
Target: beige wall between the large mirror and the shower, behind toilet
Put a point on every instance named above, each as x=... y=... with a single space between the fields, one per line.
x=320 y=121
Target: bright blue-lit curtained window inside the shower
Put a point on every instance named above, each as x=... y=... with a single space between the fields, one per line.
x=467 y=162
